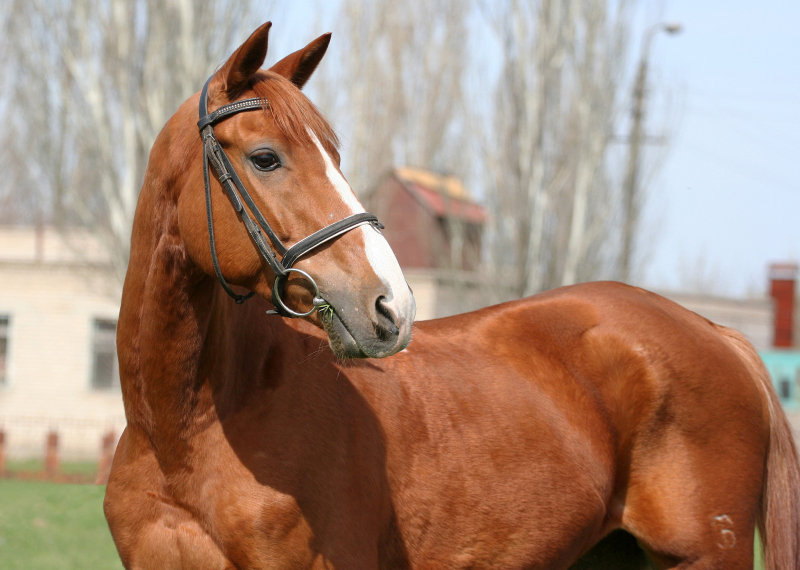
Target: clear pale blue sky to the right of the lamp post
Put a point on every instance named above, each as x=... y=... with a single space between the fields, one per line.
x=725 y=202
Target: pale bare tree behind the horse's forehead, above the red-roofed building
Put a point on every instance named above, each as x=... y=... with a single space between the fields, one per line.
x=397 y=96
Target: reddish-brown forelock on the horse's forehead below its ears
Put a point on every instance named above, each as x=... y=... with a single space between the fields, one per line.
x=293 y=112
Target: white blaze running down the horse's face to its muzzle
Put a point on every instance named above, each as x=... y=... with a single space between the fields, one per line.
x=377 y=249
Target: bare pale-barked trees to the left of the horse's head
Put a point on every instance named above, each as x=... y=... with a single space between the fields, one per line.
x=95 y=83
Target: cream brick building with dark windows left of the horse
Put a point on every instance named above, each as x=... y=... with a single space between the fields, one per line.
x=59 y=301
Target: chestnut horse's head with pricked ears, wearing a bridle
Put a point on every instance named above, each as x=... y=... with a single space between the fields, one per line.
x=284 y=158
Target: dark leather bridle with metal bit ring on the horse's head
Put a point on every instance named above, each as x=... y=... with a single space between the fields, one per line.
x=234 y=188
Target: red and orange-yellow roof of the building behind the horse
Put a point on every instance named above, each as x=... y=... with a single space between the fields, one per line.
x=444 y=196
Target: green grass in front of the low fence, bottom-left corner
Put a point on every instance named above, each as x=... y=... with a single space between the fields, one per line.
x=54 y=526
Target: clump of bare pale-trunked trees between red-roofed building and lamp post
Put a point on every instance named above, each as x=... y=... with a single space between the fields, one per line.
x=549 y=183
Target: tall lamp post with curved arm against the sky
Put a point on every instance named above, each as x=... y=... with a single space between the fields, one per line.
x=635 y=140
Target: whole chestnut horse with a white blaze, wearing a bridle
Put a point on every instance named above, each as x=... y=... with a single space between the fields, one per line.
x=597 y=425
